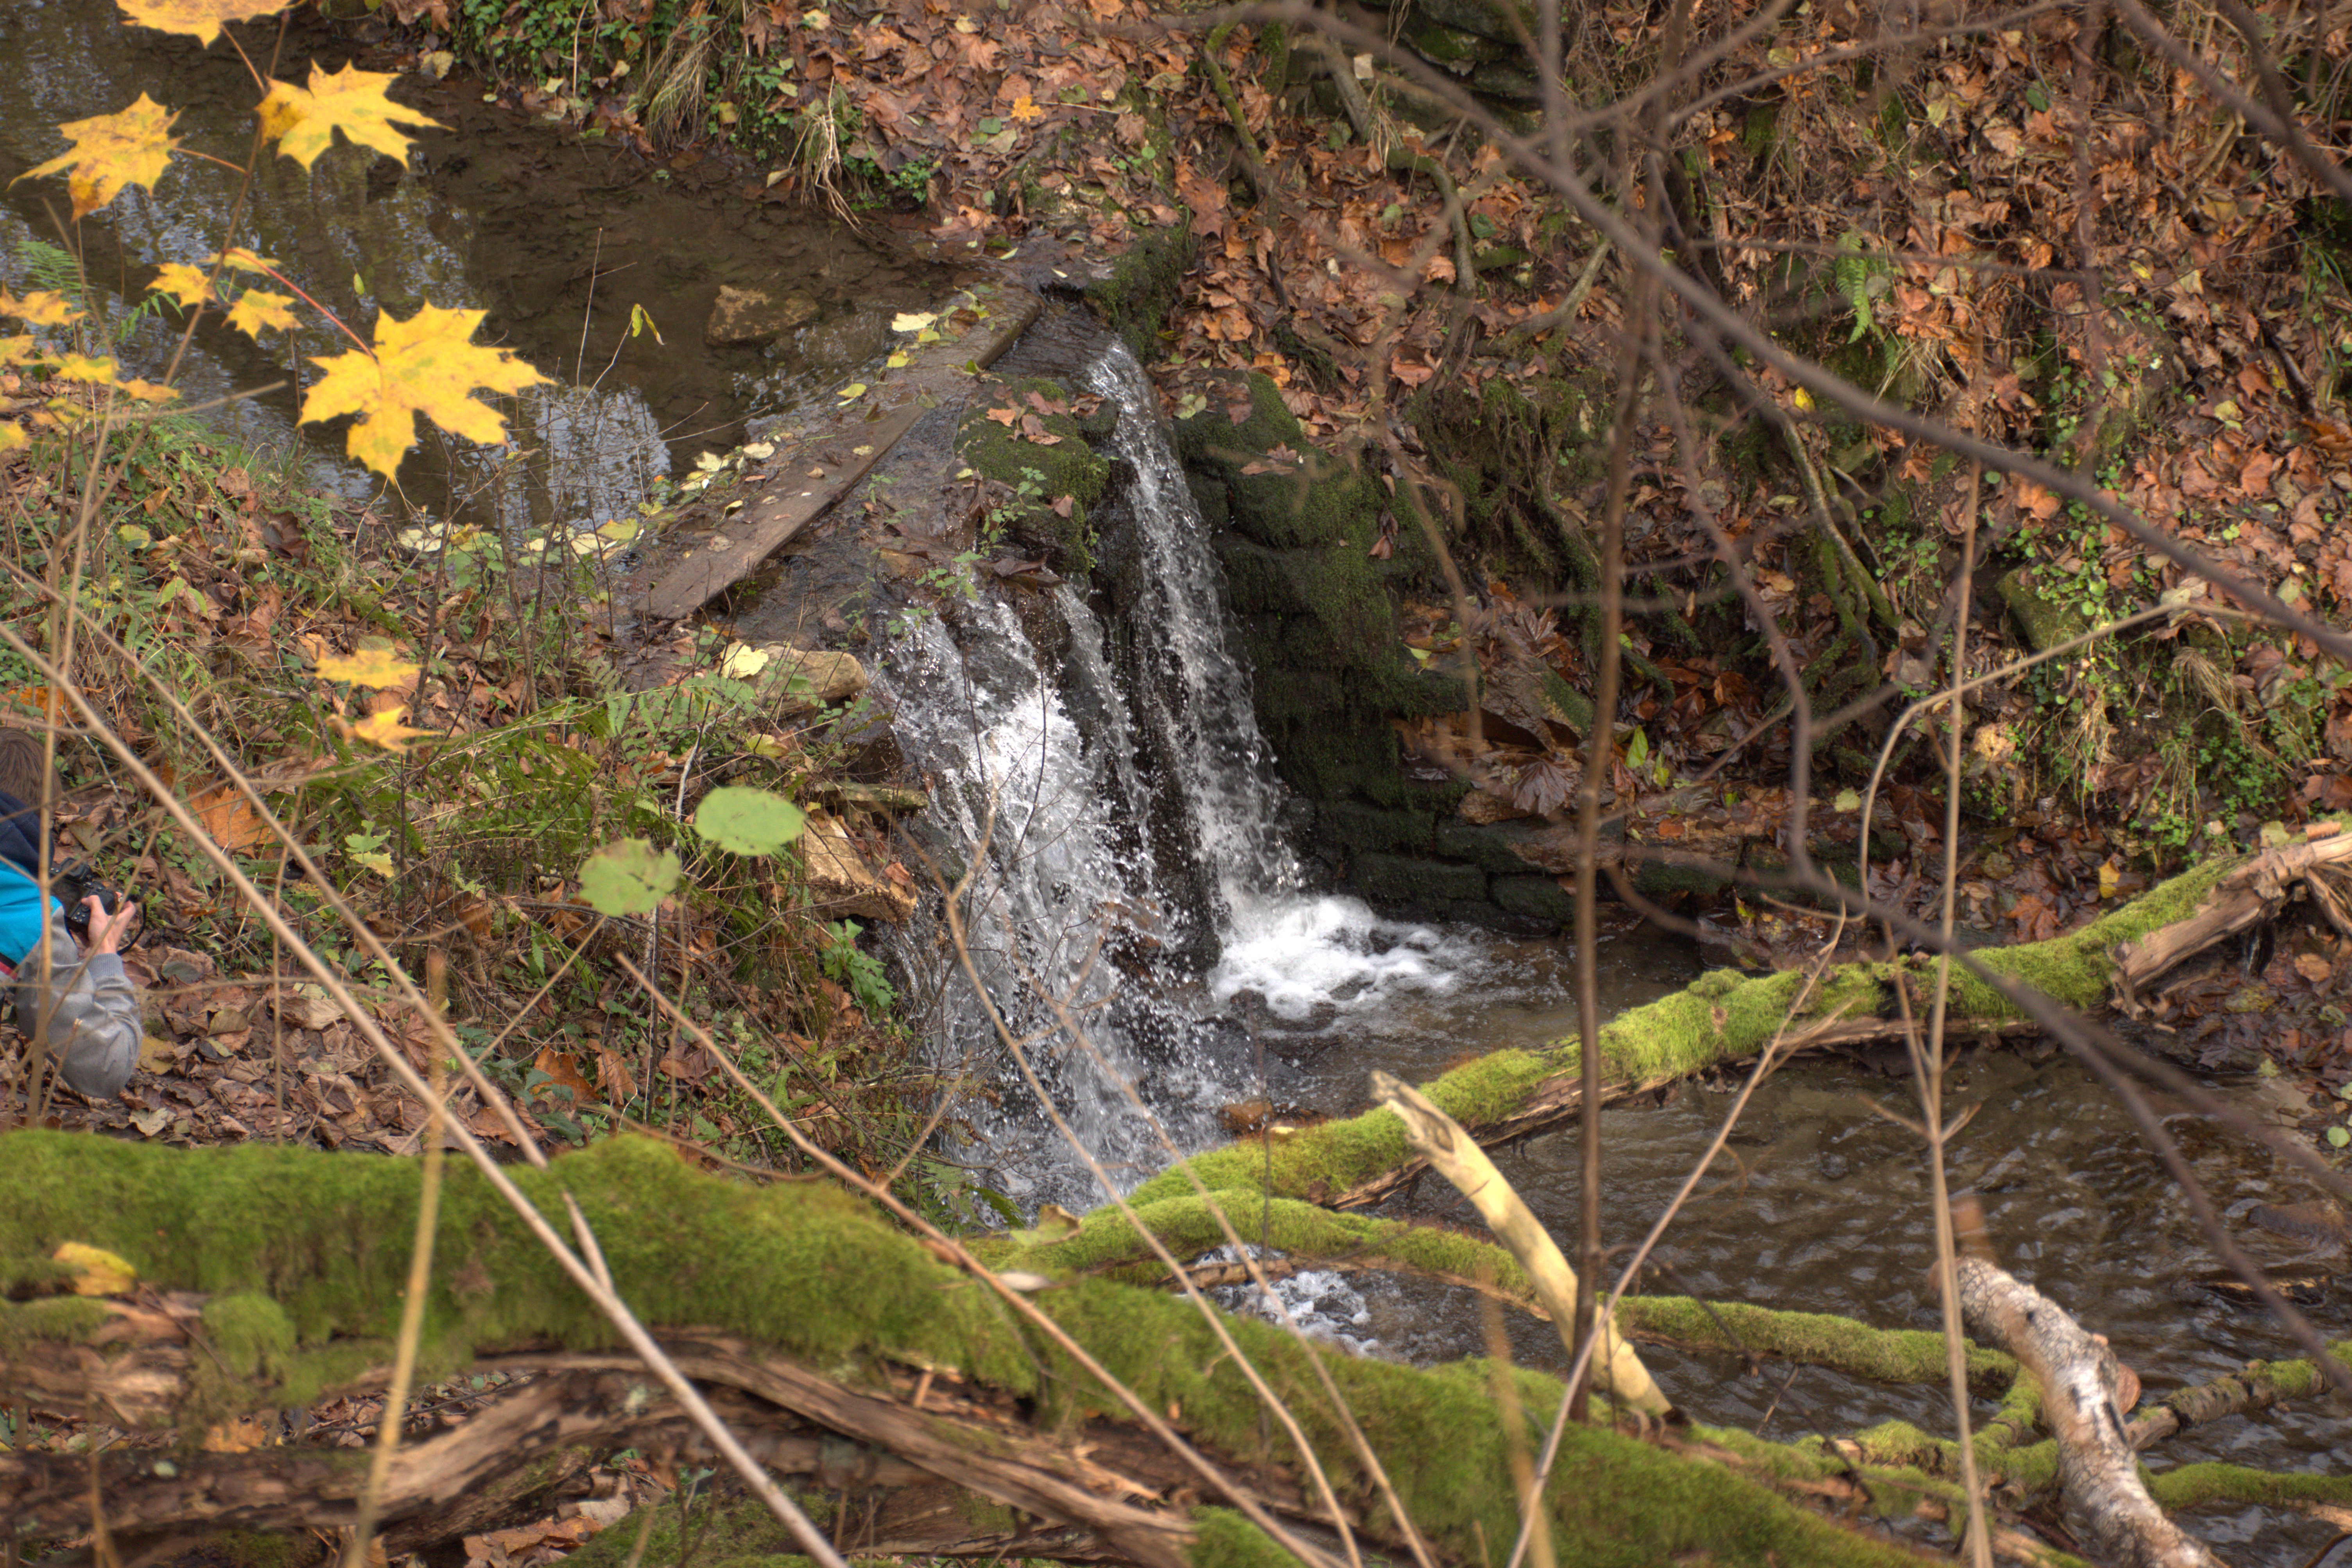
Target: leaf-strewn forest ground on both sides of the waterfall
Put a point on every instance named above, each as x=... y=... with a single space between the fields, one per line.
x=2217 y=293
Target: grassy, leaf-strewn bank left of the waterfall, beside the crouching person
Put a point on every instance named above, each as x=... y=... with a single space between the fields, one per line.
x=448 y=737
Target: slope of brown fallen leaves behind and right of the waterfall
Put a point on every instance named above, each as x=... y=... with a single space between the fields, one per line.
x=1965 y=203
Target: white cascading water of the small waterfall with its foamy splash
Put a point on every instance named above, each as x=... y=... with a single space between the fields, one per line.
x=1114 y=817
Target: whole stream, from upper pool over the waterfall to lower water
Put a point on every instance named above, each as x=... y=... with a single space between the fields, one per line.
x=1135 y=902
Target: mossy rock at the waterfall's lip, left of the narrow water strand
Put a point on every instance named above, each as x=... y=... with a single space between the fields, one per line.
x=1045 y=474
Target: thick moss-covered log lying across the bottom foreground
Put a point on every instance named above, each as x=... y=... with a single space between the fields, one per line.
x=274 y=1275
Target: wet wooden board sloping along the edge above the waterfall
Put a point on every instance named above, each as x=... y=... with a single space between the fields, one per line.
x=836 y=455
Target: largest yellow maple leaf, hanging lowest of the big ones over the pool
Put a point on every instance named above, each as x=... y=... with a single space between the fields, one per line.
x=422 y=366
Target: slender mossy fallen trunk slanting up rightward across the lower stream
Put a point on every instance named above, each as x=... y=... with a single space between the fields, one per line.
x=1718 y=1019
